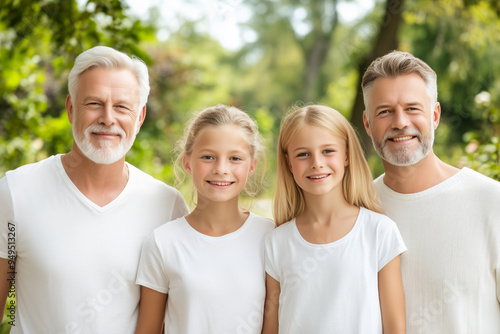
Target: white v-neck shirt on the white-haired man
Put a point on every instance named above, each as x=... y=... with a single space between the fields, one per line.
x=76 y=261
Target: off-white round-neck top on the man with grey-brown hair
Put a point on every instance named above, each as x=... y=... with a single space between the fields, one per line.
x=451 y=272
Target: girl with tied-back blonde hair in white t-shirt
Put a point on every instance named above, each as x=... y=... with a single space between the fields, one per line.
x=204 y=273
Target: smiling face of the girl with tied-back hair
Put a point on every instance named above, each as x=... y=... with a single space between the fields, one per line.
x=220 y=163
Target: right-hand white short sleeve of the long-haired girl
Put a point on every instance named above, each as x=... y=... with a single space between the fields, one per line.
x=389 y=242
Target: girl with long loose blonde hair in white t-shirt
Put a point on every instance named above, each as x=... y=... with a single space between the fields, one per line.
x=333 y=262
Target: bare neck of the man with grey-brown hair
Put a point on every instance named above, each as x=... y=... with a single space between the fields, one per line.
x=425 y=174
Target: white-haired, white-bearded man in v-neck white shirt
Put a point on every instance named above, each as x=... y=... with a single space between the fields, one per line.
x=72 y=225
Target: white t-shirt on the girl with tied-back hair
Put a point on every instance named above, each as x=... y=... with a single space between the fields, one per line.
x=214 y=284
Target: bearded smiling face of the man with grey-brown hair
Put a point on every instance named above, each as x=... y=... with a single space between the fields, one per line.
x=400 y=120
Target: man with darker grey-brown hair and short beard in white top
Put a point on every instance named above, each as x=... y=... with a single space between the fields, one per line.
x=449 y=218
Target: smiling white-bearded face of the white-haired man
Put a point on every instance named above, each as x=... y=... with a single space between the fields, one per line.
x=105 y=114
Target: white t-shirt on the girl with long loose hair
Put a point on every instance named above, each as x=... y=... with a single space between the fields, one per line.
x=332 y=288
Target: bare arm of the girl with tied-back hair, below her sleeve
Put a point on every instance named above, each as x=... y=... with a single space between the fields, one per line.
x=151 y=311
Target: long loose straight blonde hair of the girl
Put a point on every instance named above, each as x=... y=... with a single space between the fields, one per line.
x=357 y=183
